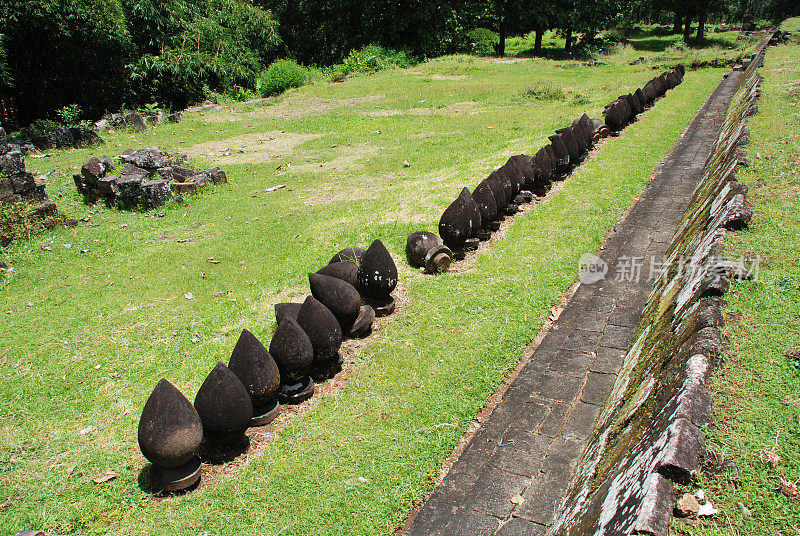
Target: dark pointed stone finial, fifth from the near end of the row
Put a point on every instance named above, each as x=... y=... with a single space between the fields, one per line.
x=325 y=334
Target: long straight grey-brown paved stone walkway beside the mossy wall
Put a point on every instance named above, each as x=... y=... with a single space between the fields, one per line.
x=531 y=442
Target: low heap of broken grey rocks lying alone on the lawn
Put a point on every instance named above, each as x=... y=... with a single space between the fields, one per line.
x=148 y=178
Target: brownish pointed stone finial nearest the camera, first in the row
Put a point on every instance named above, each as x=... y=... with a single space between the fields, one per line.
x=170 y=433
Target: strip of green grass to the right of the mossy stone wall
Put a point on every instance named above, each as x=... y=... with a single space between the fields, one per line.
x=757 y=389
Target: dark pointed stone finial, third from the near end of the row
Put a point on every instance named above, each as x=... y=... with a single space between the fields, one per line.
x=259 y=374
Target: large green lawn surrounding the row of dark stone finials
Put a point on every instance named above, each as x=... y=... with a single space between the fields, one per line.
x=88 y=334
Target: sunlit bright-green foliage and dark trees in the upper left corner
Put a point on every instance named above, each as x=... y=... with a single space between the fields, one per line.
x=100 y=54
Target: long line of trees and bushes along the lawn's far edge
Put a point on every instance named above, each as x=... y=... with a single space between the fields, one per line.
x=101 y=54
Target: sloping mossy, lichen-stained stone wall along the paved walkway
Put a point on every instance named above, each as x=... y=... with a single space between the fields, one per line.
x=649 y=434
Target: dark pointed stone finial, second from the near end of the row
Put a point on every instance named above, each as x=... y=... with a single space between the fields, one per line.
x=224 y=407
